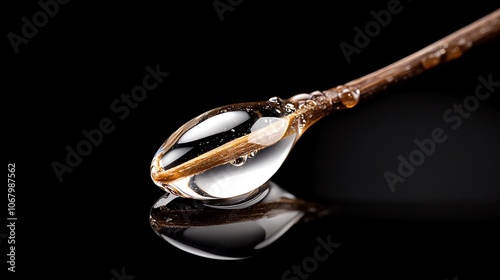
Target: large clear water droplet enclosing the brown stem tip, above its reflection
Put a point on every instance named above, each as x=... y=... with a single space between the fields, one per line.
x=232 y=150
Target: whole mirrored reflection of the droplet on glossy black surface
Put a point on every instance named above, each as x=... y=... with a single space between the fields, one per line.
x=227 y=233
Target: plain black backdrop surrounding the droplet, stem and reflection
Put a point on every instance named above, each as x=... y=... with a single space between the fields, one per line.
x=441 y=223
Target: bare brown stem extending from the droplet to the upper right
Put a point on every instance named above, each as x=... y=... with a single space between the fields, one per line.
x=439 y=52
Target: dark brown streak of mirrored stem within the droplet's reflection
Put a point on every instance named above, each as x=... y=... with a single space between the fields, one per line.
x=207 y=216
